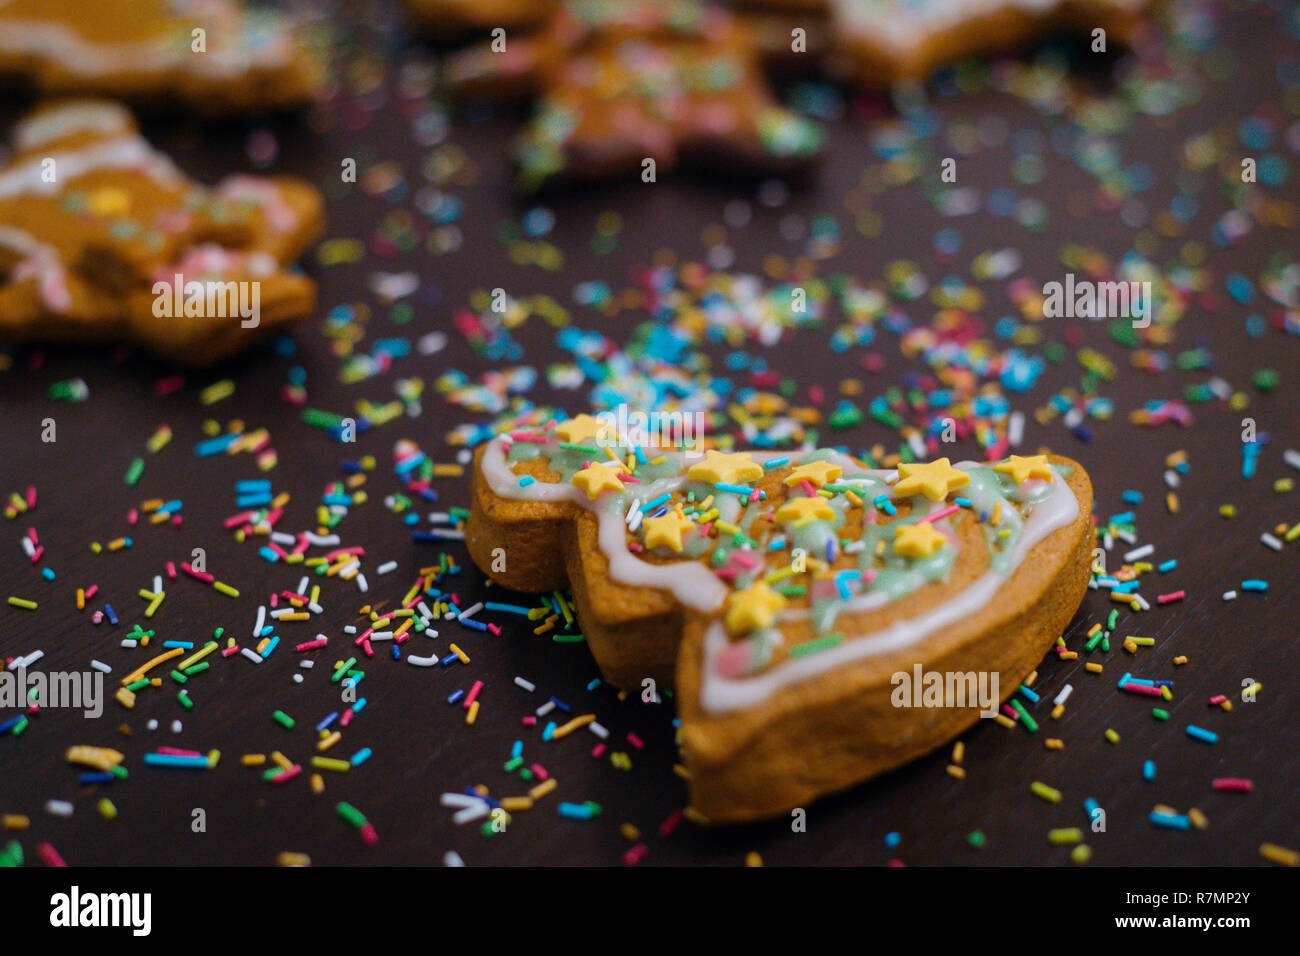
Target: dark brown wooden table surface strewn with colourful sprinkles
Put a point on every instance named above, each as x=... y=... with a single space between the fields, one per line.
x=422 y=747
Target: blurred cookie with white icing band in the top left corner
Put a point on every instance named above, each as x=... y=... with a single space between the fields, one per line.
x=211 y=55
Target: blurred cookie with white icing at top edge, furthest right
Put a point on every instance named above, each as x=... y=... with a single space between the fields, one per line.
x=892 y=41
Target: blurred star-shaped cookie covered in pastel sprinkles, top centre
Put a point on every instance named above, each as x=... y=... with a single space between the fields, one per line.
x=635 y=88
